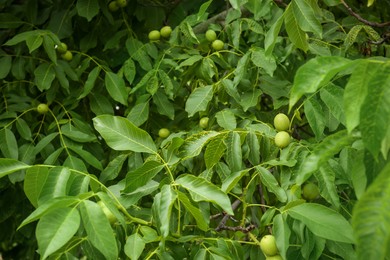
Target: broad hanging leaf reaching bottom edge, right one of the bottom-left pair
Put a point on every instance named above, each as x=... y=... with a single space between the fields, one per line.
x=98 y=229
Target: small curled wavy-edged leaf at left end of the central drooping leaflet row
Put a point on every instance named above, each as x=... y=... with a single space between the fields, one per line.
x=195 y=143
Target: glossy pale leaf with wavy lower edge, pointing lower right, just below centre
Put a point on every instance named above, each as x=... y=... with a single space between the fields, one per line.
x=205 y=191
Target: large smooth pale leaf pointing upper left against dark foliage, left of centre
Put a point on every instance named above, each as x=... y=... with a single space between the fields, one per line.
x=122 y=135
